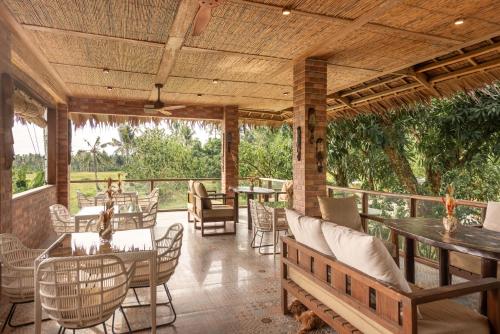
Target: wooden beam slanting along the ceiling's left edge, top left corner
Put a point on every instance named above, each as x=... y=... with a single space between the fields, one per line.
x=57 y=88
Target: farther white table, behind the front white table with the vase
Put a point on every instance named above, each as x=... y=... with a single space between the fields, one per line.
x=125 y=211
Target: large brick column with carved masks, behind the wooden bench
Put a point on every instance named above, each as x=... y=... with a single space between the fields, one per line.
x=309 y=91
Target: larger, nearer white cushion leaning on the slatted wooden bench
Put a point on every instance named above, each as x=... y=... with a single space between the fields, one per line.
x=365 y=253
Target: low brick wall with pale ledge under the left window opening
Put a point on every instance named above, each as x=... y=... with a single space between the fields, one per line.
x=30 y=215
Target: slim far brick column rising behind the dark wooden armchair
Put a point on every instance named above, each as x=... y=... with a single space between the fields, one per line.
x=230 y=144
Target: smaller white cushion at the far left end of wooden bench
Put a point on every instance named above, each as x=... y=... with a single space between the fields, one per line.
x=307 y=231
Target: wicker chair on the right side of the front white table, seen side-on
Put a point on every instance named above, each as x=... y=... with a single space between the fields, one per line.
x=169 y=251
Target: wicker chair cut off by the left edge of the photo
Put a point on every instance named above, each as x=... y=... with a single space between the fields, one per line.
x=17 y=274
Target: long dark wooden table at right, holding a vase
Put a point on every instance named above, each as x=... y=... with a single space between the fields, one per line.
x=466 y=239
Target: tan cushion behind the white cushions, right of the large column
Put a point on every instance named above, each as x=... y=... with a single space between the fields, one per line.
x=341 y=211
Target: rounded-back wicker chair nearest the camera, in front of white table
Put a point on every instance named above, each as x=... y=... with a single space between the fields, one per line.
x=83 y=291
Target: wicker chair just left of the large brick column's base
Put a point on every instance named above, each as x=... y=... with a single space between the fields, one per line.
x=263 y=219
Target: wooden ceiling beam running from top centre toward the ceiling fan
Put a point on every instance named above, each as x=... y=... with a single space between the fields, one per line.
x=183 y=18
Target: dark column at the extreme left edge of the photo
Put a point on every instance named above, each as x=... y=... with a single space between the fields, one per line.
x=6 y=151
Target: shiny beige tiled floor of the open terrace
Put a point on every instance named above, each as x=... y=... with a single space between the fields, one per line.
x=220 y=286
